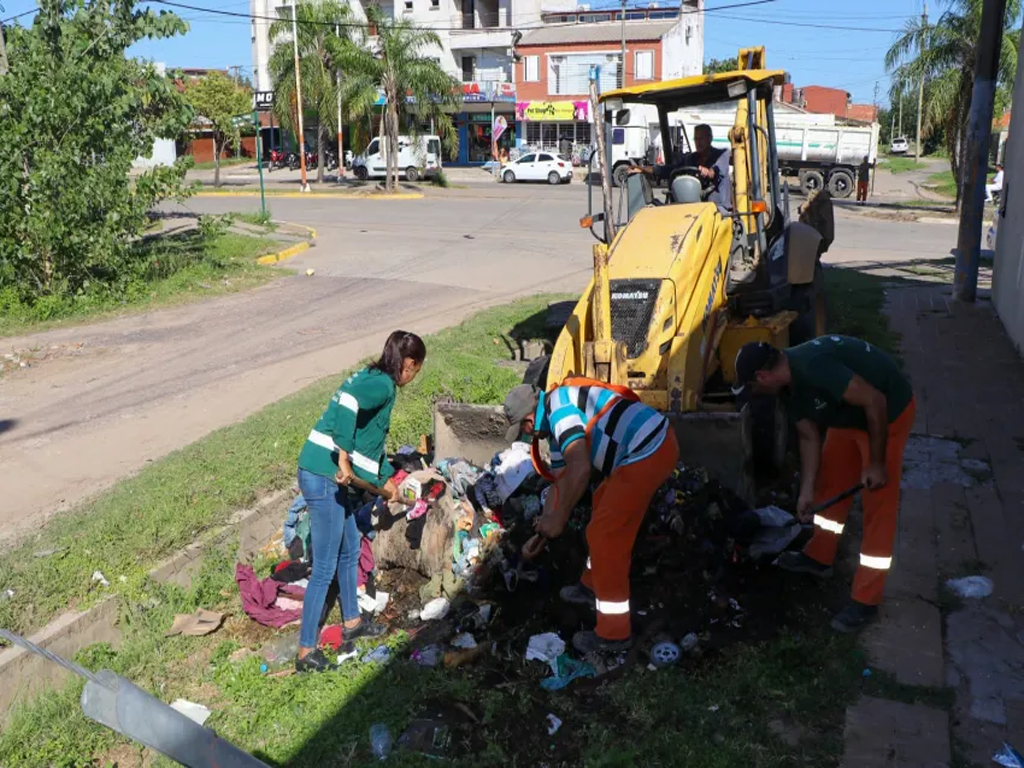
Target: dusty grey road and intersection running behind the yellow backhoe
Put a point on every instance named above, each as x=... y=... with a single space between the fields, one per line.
x=123 y=393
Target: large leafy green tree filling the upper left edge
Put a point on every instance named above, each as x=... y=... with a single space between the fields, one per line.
x=75 y=115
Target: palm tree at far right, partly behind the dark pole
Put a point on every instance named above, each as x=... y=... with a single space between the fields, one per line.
x=948 y=66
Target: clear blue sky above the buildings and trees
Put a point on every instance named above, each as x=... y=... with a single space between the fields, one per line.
x=845 y=58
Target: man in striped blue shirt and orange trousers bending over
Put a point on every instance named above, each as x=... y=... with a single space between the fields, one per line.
x=631 y=447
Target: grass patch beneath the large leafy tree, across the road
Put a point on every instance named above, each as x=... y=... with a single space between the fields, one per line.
x=169 y=269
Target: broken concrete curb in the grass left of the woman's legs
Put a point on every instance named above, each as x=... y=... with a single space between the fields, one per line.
x=24 y=675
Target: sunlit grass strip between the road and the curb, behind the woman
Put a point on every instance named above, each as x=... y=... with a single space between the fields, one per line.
x=172 y=503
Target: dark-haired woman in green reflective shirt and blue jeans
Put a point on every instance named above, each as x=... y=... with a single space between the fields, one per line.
x=349 y=442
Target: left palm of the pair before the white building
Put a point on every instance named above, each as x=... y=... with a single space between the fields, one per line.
x=318 y=68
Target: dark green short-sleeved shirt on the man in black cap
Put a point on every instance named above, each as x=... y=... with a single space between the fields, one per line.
x=822 y=371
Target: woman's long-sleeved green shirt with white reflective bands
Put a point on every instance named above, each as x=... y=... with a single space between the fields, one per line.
x=357 y=420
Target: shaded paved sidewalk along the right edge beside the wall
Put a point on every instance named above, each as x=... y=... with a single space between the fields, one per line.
x=961 y=516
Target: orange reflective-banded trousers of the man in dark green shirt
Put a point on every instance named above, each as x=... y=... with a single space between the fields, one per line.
x=844 y=456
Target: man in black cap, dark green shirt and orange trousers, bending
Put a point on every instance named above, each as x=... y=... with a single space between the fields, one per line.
x=858 y=394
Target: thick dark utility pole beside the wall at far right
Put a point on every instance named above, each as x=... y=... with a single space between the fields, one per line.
x=979 y=137
